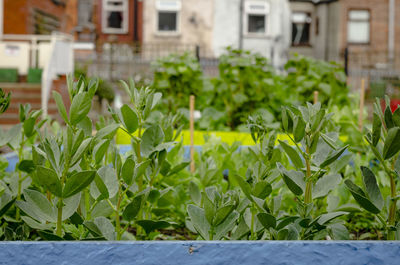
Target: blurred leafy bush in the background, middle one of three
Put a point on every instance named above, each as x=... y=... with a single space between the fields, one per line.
x=245 y=83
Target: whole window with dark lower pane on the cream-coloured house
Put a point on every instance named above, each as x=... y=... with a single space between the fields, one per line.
x=168 y=16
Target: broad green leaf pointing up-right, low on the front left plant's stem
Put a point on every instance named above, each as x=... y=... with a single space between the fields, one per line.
x=78 y=182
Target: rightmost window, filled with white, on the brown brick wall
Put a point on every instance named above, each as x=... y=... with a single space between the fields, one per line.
x=358 y=26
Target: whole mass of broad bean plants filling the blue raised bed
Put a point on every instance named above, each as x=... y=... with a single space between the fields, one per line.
x=301 y=180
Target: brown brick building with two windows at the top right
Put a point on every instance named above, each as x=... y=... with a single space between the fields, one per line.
x=324 y=29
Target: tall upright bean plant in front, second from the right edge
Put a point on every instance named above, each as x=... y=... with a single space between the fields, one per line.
x=314 y=162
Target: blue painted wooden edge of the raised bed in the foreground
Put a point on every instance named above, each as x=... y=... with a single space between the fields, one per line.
x=201 y=252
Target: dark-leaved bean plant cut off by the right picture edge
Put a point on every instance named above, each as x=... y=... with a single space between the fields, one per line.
x=384 y=141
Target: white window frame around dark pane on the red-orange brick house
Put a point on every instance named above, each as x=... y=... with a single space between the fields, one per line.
x=124 y=8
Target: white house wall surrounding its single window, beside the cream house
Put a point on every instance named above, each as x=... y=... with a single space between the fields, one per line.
x=273 y=44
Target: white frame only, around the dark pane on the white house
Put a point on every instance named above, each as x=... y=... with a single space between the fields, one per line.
x=248 y=10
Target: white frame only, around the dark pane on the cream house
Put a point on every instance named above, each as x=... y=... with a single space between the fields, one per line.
x=162 y=6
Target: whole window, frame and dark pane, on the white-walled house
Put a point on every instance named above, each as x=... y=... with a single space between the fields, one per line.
x=256 y=14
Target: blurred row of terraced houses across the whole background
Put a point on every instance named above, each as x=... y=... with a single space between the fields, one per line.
x=41 y=40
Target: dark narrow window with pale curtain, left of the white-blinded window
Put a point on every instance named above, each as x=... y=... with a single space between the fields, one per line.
x=301 y=24
